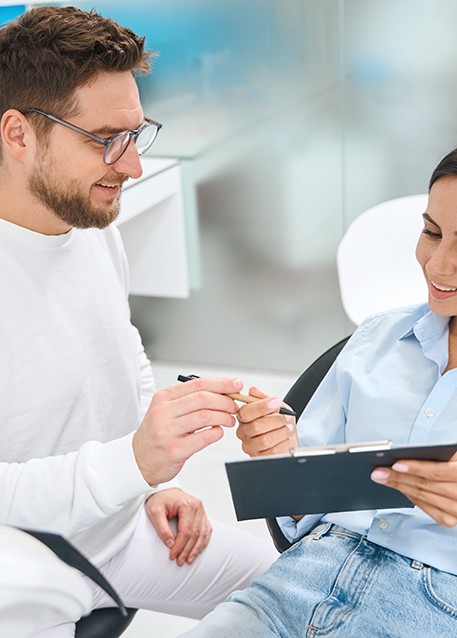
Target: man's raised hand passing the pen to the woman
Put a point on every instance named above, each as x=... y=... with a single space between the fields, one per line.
x=180 y=421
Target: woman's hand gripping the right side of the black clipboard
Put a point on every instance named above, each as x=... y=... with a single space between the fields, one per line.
x=431 y=485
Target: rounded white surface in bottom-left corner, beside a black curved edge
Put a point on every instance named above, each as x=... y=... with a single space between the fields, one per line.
x=36 y=586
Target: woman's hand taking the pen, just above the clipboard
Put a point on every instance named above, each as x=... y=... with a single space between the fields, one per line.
x=262 y=429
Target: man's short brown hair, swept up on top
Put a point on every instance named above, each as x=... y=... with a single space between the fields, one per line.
x=48 y=52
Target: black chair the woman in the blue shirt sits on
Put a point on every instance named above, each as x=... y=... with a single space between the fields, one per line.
x=298 y=397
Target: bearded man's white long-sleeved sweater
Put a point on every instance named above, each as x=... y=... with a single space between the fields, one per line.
x=74 y=385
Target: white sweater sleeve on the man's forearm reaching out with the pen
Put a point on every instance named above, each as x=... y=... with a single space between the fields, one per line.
x=70 y=493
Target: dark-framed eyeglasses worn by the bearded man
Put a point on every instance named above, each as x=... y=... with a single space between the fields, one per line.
x=116 y=145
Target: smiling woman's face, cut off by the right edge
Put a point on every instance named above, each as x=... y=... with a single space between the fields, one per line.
x=436 y=250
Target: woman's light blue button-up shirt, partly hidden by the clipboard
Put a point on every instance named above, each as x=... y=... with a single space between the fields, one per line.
x=388 y=383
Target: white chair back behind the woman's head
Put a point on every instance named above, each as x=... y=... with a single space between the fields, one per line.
x=377 y=268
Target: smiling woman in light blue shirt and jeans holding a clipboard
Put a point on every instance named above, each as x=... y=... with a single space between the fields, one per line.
x=372 y=573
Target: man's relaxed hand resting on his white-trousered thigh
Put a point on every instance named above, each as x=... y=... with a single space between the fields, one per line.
x=194 y=529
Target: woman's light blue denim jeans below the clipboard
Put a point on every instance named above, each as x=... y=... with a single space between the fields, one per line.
x=336 y=583
